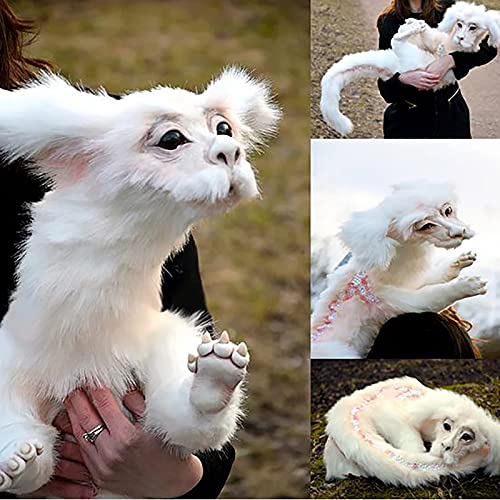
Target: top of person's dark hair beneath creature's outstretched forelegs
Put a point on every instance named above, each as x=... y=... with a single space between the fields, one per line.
x=424 y=336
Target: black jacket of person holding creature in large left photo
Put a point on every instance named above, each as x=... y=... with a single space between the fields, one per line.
x=181 y=290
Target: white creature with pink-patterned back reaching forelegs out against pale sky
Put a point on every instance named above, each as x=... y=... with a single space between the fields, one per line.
x=391 y=270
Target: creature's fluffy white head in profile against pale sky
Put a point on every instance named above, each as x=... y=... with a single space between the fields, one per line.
x=415 y=213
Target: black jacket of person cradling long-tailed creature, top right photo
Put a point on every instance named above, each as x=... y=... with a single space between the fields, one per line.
x=417 y=114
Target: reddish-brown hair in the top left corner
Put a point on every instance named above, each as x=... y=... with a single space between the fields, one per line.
x=15 y=34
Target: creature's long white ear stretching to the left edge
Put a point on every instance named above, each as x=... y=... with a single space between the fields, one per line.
x=53 y=124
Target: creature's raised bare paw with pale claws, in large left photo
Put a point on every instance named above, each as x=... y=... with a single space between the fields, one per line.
x=218 y=369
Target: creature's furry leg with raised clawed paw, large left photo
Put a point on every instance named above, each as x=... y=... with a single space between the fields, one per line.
x=193 y=401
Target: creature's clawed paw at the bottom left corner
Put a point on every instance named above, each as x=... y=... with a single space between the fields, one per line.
x=25 y=467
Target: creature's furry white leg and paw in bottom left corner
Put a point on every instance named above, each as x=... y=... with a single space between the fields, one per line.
x=26 y=448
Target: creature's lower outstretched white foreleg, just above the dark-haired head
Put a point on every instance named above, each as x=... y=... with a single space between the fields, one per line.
x=432 y=298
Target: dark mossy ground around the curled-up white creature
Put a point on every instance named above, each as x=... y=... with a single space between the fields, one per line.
x=479 y=380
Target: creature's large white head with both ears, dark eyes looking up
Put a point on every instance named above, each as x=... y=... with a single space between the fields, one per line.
x=162 y=144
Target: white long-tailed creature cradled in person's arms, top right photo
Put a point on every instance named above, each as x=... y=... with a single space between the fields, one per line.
x=414 y=46
